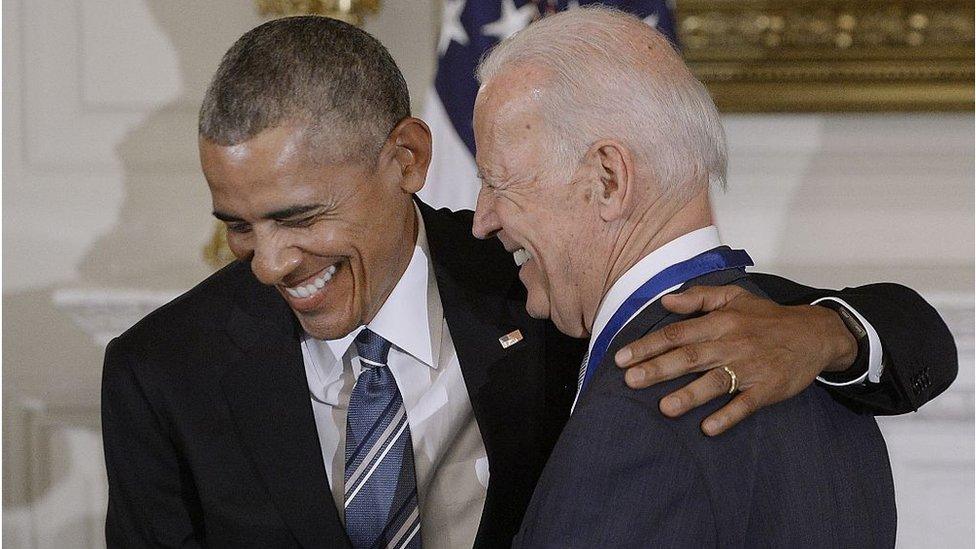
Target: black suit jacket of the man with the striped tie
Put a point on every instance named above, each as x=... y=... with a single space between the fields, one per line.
x=208 y=428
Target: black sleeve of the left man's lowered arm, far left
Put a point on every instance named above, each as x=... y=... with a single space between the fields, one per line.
x=150 y=501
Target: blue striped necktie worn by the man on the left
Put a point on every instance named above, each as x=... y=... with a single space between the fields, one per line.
x=380 y=482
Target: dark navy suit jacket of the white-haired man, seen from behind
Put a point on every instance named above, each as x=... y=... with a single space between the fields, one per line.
x=806 y=472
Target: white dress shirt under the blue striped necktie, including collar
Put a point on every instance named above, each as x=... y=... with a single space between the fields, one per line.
x=449 y=453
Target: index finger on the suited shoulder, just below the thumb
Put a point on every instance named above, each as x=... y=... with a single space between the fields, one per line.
x=672 y=336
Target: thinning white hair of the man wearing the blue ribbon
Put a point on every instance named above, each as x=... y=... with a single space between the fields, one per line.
x=611 y=76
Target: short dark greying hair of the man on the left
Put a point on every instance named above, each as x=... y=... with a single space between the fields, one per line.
x=322 y=73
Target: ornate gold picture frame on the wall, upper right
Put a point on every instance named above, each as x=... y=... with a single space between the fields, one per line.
x=831 y=55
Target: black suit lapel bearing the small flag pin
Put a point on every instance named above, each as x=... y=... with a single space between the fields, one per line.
x=480 y=292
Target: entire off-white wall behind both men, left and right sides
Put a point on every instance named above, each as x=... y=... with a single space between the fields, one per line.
x=102 y=190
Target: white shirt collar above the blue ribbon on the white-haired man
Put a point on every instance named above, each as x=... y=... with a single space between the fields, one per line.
x=684 y=247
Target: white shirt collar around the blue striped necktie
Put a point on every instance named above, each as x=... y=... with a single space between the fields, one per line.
x=397 y=319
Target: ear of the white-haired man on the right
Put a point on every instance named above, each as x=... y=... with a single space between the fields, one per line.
x=613 y=165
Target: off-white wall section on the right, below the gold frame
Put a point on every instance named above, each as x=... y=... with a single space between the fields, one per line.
x=850 y=199
